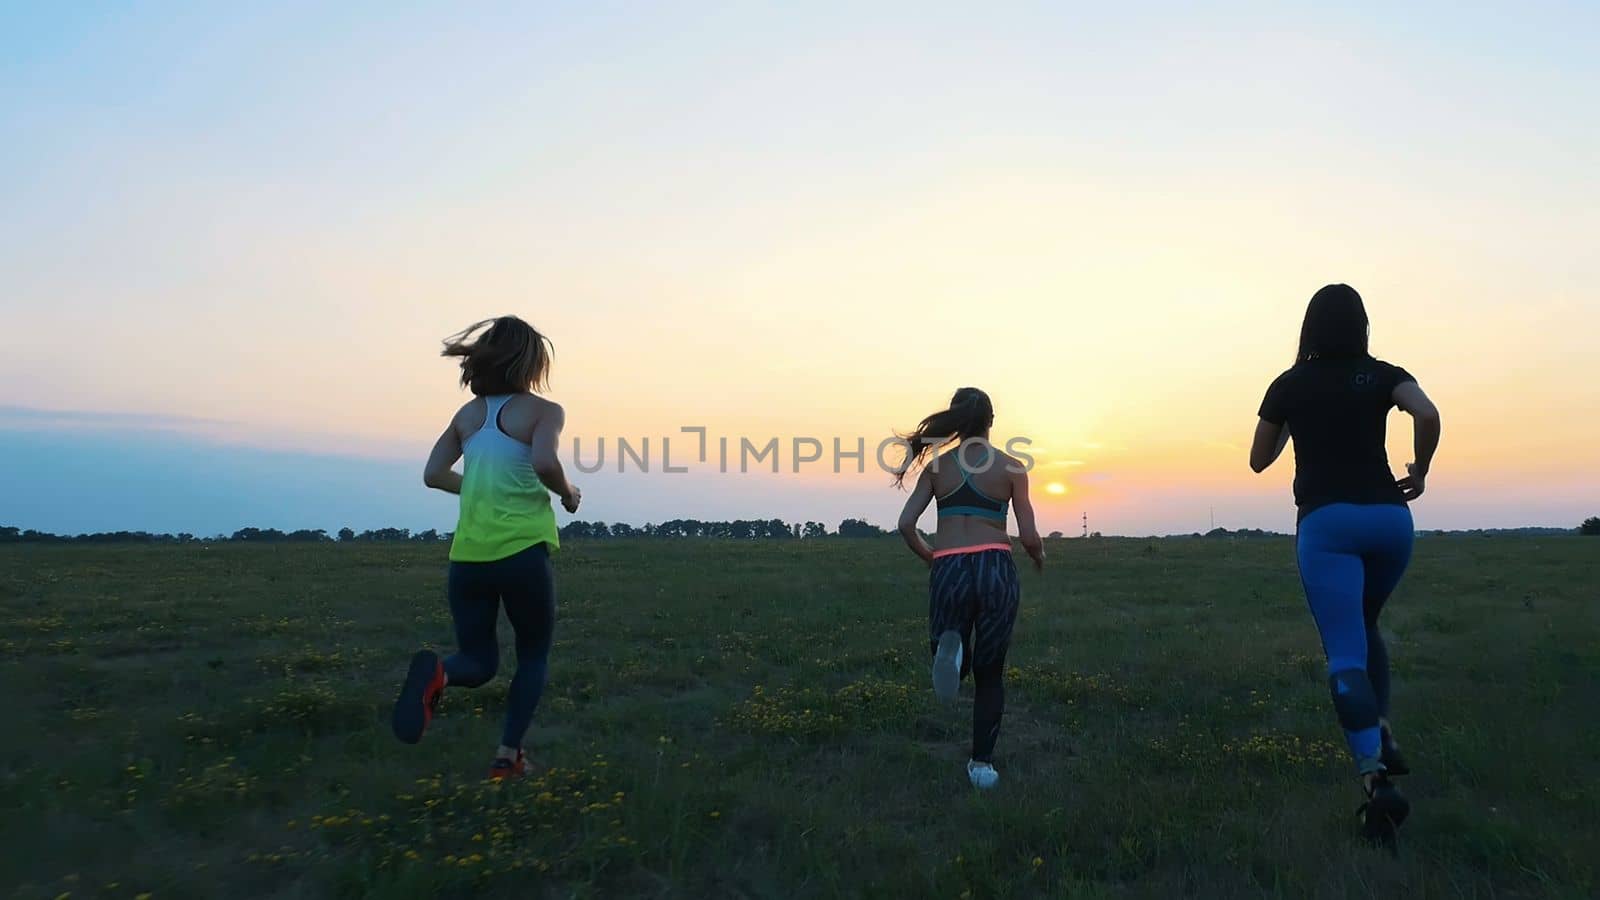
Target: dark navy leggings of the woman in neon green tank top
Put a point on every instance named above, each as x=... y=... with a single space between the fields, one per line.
x=478 y=590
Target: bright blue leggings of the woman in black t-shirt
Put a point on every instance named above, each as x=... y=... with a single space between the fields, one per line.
x=1351 y=560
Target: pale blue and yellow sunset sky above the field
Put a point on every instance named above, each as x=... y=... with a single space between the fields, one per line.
x=233 y=241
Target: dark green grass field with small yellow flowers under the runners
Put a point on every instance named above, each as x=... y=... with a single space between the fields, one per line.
x=754 y=720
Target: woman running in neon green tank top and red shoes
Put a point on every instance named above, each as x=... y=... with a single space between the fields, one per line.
x=502 y=552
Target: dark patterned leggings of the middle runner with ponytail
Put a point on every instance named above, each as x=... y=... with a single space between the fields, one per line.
x=977 y=595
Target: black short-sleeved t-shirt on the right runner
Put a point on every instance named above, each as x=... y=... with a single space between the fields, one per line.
x=1338 y=414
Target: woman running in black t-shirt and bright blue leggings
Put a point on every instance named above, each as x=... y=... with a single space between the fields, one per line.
x=1354 y=537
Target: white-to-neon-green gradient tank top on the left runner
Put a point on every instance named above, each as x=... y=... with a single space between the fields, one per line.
x=505 y=507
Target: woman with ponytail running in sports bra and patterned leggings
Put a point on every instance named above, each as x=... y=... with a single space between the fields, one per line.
x=972 y=585
